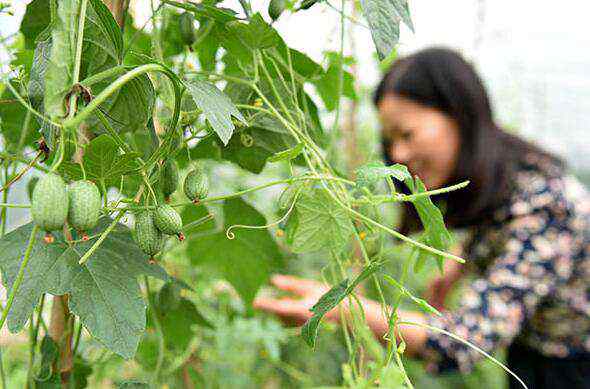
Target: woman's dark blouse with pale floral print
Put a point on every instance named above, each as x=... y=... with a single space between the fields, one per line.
x=533 y=275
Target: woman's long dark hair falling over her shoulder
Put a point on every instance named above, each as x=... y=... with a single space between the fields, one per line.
x=440 y=78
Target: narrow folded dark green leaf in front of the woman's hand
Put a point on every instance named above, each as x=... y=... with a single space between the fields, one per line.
x=331 y=299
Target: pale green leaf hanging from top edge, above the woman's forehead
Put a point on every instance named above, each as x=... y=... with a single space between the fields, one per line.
x=384 y=24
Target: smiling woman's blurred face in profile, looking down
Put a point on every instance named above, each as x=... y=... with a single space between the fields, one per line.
x=422 y=138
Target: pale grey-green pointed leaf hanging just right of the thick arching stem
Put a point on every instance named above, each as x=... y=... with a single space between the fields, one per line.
x=217 y=107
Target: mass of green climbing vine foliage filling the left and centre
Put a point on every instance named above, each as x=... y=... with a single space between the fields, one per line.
x=147 y=109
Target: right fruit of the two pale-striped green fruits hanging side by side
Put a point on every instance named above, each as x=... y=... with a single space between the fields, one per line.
x=84 y=206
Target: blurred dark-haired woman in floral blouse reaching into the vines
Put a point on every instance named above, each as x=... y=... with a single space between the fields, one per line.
x=528 y=223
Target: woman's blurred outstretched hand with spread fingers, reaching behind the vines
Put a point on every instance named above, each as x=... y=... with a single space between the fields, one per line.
x=294 y=309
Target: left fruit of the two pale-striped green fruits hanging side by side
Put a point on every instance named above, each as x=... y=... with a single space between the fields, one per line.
x=49 y=205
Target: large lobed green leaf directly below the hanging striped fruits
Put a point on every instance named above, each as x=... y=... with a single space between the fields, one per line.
x=104 y=292
